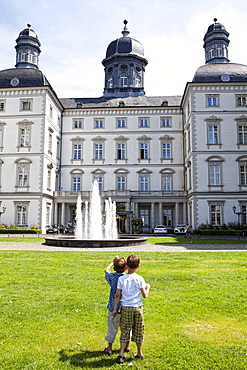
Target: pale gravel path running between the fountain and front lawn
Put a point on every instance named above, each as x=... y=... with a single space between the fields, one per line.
x=141 y=248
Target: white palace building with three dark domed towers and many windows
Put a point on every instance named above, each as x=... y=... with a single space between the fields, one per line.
x=165 y=159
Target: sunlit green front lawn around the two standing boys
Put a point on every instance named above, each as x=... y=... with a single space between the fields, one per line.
x=53 y=311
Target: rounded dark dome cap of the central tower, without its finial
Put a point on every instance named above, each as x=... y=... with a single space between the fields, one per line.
x=124 y=45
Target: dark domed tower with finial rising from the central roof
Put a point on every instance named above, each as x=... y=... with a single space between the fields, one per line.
x=124 y=67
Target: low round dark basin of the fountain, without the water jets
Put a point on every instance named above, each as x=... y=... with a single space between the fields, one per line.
x=72 y=242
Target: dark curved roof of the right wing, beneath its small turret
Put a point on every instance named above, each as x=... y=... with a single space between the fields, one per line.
x=212 y=72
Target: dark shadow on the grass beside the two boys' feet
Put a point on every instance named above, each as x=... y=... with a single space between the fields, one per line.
x=87 y=359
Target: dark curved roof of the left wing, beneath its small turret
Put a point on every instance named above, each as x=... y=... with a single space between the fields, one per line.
x=26 y=77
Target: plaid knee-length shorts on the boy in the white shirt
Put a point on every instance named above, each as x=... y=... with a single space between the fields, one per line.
x=132 y=319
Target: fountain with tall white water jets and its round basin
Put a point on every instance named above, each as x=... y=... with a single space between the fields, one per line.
x=94 y=228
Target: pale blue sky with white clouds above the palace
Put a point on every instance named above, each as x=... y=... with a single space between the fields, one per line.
x=74 y=36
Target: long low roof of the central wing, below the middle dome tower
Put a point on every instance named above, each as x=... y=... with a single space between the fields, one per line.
x=135 y=101
